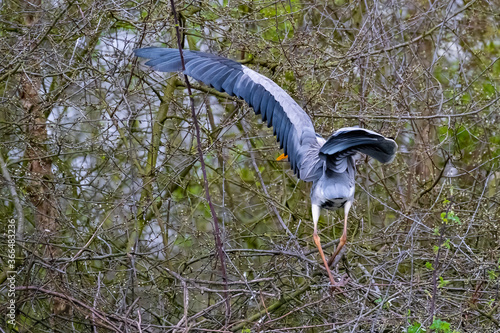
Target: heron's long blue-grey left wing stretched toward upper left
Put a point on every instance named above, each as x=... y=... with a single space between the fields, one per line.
x=291 y=125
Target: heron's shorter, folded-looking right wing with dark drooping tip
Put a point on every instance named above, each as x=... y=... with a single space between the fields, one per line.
x=349 y=140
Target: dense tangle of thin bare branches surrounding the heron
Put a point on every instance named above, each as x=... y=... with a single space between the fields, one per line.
x=101 y=173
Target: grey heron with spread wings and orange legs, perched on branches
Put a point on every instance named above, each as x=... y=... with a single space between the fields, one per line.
x=328 y=164
